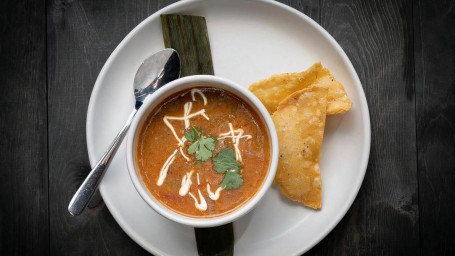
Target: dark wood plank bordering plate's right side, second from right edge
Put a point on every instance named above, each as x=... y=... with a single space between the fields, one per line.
x=377 y=36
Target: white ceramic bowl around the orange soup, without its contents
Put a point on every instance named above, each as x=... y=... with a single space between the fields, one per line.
x=174 y=87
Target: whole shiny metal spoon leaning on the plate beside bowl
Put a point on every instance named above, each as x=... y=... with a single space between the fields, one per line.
x=156 y=71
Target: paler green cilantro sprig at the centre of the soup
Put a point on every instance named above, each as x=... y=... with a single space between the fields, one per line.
x=201 y=146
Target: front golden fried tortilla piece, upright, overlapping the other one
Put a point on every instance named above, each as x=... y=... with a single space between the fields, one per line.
x=300 y=121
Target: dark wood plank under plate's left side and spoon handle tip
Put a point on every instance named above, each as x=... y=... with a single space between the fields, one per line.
x=81 y=36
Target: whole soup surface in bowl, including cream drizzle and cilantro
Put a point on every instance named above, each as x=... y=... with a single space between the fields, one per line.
x=203 y=152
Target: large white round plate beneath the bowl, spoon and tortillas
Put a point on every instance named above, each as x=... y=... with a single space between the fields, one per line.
x=250 y=40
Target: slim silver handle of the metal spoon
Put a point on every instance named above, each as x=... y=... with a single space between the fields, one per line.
x=89 y=186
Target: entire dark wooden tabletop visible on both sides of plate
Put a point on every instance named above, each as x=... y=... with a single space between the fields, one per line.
x=403 y=51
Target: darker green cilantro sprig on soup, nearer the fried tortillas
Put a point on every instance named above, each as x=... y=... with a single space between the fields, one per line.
x=226 y=163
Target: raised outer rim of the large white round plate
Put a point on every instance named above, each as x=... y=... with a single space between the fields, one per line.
x=358 y=86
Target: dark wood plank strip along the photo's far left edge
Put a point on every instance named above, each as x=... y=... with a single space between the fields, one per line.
x=24 y=219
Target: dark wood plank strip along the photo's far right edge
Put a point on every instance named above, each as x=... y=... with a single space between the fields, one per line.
x=435 y=100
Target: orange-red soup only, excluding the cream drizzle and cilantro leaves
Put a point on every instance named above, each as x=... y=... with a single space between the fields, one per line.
x=157 y=143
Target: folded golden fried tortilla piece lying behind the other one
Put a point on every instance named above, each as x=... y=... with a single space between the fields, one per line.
x=273 y=90
